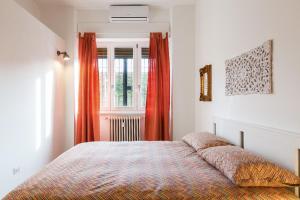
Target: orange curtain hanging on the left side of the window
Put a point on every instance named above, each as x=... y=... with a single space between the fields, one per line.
x=88 y=118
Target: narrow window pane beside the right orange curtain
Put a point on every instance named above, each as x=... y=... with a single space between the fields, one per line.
x=144 y=76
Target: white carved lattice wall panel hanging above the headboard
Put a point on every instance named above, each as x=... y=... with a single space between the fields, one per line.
x=251 y=72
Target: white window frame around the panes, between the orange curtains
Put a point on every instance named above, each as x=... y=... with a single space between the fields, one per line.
x=137 y=46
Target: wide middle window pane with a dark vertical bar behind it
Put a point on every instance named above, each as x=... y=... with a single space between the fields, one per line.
x=123 y=77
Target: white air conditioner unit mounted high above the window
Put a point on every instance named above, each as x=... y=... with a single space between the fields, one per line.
x=129 y=13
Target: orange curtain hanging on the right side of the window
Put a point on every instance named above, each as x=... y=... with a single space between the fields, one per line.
x=157 y=123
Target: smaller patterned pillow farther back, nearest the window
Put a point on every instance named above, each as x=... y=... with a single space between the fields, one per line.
x=204 y=140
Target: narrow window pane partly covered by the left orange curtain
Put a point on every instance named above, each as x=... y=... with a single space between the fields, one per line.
x=104 y=77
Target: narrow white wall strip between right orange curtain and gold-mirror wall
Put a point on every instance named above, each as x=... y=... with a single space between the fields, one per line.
x=183 y=64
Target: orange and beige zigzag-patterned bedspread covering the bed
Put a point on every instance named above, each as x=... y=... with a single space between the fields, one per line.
x=136 y=170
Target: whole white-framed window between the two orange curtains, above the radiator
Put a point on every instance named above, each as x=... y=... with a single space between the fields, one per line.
x=123 y=71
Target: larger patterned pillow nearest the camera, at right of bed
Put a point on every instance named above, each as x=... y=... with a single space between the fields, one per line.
x=246 y=169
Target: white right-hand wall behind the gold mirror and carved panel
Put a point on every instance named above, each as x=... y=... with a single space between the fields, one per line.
x=225 y=29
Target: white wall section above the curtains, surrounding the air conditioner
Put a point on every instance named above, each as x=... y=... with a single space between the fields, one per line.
x=98 y=21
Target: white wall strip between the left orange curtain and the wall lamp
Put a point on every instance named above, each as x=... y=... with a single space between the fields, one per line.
x=64 y=23
